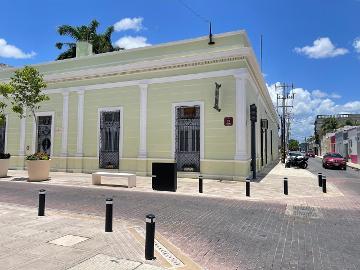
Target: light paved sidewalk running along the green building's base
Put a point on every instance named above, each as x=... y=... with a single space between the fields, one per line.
x=302 y=184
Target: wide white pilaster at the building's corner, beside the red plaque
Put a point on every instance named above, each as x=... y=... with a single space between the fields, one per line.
x=242 y=152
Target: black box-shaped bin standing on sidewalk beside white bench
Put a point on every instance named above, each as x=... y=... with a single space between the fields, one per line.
x=164 y=176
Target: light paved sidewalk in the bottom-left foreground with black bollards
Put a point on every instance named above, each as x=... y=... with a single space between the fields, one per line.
x=63 y=240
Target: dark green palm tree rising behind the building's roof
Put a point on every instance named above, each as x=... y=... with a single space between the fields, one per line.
x=101 y=42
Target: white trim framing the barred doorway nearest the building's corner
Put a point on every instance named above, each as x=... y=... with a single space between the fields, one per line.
x=202 y=129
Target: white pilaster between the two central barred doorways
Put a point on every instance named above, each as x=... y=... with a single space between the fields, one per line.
x=143 y=120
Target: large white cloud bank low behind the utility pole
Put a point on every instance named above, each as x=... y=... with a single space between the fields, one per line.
x=307 y=104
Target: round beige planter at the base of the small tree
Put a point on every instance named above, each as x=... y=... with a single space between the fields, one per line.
x=38 y=166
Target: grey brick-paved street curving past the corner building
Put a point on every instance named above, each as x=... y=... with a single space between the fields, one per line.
x=299 y=232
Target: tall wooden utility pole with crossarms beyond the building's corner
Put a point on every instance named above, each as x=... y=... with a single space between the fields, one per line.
x=284 y=116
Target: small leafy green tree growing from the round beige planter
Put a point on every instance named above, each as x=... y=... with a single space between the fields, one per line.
x=25 y=93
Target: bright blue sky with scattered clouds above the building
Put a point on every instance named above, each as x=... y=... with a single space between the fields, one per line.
x=326 y=73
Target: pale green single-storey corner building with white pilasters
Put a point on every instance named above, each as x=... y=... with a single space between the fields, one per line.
x=186 y=101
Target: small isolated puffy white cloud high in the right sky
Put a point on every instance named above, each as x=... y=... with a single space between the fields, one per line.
x=321 y=48
